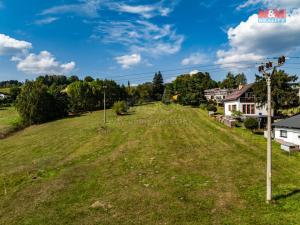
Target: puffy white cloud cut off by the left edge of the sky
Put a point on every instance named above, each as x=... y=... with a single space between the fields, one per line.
x=9 y=46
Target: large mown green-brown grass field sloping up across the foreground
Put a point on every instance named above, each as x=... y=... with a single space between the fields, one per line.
x=161 y=165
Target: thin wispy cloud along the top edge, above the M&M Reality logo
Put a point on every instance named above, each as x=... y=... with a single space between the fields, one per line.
x=271 y=3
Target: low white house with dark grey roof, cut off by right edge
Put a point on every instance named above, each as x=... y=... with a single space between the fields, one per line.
x=287 y=132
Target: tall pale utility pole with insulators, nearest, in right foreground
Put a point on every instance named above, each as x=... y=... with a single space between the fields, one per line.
x=269 y=65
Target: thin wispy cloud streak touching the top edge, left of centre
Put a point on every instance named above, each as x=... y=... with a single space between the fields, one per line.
x=87 y=8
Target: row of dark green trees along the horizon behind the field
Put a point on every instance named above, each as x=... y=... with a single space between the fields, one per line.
x=51 y=97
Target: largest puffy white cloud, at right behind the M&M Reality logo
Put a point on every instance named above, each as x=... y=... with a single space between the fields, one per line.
x=252 y=41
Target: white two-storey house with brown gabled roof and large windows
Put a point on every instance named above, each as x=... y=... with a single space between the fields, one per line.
x=243 y=100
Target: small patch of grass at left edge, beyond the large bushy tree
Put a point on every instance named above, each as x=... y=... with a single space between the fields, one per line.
x=8 y=117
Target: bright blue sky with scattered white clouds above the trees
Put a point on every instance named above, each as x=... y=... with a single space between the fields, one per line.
x=129 y=40
